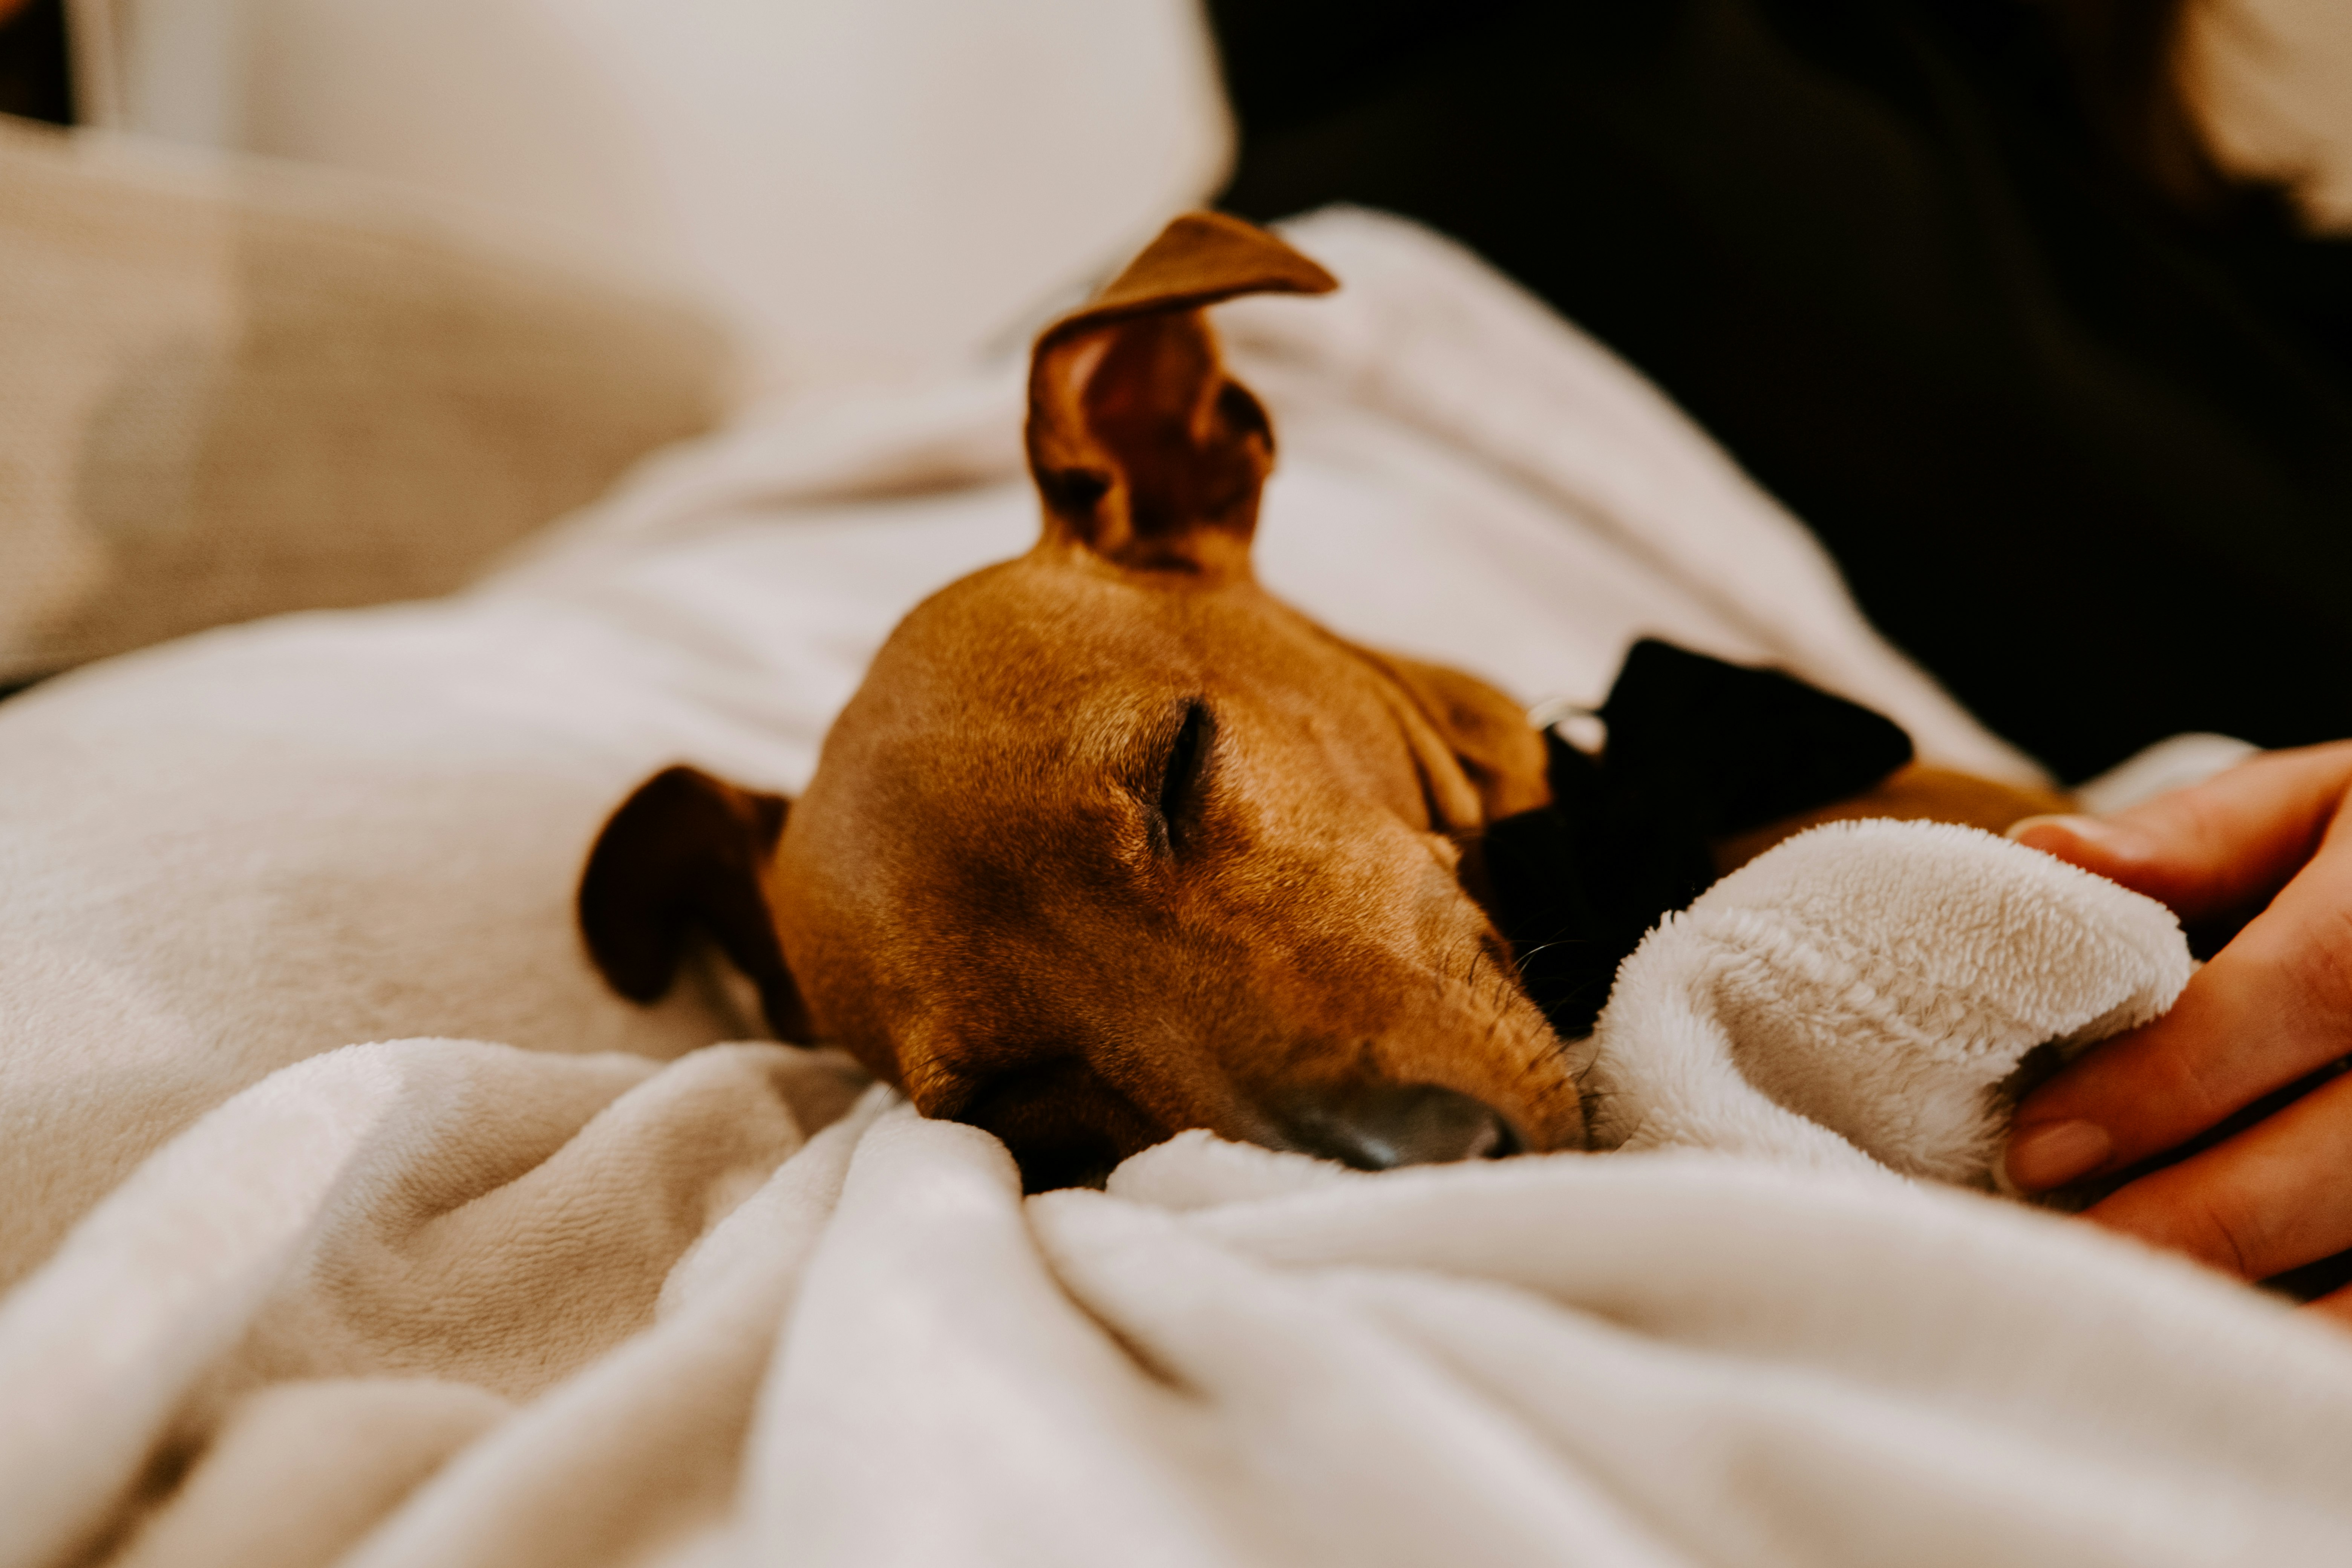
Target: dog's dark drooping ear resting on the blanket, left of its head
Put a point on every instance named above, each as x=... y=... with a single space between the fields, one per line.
x=683 y=852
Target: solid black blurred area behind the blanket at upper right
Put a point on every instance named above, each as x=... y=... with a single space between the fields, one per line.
x=1946 y=276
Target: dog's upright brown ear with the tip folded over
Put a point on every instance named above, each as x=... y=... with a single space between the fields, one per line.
x=1142 y=448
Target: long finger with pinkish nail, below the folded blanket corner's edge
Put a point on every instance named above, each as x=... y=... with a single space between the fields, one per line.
x=2269 y=1010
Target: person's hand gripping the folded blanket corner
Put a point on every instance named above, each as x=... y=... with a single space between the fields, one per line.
x=2273 y=1007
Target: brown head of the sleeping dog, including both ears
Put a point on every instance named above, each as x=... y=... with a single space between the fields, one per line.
x=1111 y=843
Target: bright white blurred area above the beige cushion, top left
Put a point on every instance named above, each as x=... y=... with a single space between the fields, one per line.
x=867 y=187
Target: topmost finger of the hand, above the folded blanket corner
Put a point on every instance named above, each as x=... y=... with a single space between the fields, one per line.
x=2214 y=847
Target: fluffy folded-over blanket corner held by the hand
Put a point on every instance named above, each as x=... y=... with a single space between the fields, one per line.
x=1862 y=993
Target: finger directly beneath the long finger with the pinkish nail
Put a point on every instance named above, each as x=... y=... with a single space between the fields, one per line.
x=2271 y=1200
